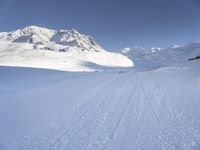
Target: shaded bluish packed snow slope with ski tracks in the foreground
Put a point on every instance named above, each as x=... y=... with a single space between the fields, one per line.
x=52 y=110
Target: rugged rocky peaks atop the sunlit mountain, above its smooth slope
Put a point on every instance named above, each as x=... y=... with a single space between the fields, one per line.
x=59 y=38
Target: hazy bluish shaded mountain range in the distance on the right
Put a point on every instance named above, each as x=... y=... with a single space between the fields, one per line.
x=156 y=57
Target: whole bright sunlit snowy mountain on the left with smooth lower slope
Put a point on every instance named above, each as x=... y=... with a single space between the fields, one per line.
x=62 y=50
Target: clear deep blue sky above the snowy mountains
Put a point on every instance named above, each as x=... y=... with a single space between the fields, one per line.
x=114 y=24
